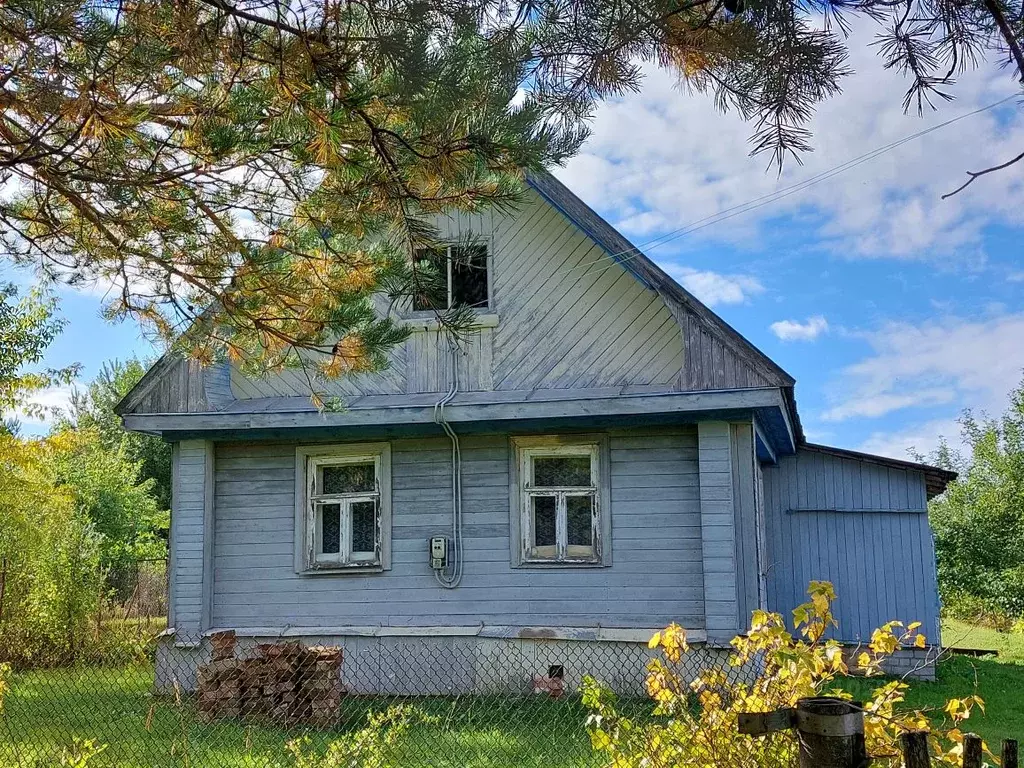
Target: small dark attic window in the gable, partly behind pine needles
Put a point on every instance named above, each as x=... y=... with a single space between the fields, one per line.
x=463 y=272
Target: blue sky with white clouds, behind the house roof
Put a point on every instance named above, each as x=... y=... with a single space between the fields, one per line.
x=892 y=309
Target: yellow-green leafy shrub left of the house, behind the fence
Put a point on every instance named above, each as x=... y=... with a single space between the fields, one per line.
x=72 y=514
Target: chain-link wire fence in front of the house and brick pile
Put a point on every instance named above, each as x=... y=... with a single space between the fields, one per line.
x=224 y=702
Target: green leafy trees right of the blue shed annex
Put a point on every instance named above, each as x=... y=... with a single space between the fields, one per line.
x=979 y=522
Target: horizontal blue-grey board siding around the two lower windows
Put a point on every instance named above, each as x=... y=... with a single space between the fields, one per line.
x=657 y=577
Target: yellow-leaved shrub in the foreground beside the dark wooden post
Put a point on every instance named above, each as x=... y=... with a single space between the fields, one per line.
x=697 y=723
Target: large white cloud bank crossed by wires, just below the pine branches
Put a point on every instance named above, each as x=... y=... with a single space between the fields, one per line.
x=665 y=159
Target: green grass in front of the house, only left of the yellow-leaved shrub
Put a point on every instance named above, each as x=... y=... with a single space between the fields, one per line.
x=46 y=710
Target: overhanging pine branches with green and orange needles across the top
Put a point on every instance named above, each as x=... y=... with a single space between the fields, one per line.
x=249 y=174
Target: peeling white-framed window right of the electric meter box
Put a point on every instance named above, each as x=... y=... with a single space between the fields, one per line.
x=562 y=510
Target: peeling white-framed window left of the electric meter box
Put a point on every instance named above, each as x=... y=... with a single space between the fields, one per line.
x=344 y=508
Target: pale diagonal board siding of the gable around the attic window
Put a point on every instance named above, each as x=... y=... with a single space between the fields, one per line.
x=567 y=317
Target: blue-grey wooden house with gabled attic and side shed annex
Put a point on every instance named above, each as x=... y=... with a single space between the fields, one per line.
x=604 y=457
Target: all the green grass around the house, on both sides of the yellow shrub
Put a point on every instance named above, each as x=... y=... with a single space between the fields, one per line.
x=47 y=709
